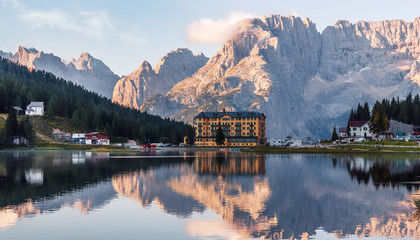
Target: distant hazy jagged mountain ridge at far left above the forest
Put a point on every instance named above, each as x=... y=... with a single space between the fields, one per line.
x=87 y=71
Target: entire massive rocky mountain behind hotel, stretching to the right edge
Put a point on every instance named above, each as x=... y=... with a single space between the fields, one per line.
x=303 y=80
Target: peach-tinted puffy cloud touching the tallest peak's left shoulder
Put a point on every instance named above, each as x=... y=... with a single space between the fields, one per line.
x=215 y=31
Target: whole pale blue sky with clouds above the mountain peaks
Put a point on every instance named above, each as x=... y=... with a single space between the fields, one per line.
x=125 y=33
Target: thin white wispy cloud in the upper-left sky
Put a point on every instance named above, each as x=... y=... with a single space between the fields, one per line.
x=92 y=24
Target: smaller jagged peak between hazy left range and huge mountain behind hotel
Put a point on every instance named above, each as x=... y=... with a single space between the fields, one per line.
x=147 y=82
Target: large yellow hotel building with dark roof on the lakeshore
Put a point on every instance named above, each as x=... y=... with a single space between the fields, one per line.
x=240 y=128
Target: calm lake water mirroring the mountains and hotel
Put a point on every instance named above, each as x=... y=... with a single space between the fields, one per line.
x=207 y=195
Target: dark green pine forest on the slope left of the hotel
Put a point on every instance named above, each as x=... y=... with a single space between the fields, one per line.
x=91 y=112
